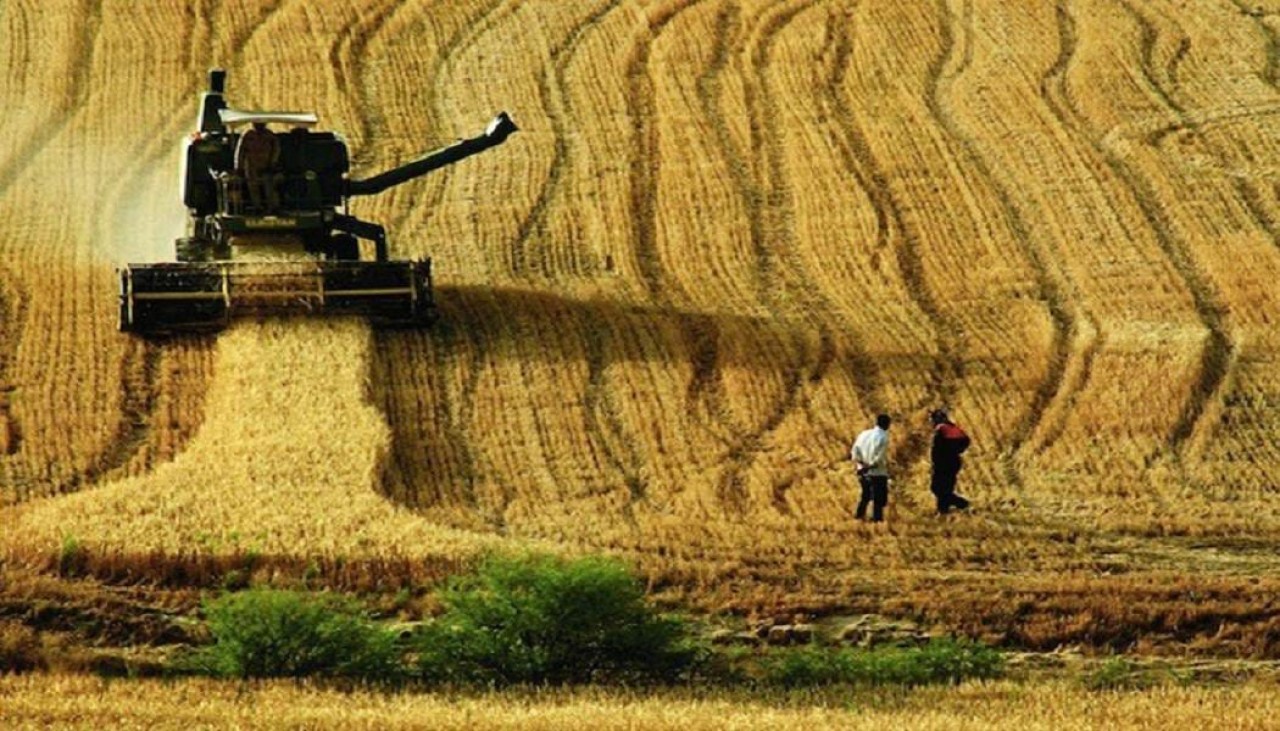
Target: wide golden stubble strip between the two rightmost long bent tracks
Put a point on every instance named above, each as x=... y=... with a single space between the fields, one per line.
x=1146 y=318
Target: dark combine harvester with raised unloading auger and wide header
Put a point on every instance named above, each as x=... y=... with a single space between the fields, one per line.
x=281 y=241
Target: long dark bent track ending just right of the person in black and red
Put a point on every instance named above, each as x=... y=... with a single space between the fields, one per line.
x=1053 y=286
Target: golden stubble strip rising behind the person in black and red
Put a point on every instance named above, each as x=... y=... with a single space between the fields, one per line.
x=996 y=339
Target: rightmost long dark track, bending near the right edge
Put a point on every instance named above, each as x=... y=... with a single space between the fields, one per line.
x=1219 y=351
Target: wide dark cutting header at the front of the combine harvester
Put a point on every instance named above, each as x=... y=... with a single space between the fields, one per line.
x=182 y=298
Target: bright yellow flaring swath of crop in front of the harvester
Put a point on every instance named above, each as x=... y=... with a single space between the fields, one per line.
x=287 y=462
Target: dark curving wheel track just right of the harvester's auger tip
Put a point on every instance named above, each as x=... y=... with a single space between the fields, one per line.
x=559 y=108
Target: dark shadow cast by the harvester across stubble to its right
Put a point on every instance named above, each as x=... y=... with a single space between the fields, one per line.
x=500 y=349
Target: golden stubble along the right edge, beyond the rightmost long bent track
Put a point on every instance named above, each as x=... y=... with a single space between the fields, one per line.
x=1199 y=135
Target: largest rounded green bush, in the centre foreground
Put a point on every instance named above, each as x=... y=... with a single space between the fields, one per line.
x=542 y=620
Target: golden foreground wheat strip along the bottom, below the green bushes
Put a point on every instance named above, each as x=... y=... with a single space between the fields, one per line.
x=71 y=702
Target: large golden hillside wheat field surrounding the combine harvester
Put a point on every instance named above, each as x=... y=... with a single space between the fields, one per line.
x=728 y=235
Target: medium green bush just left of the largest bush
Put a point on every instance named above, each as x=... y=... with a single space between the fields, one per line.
x=264 y=633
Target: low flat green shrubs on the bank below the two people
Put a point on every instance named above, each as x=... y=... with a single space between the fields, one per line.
x=940 y=661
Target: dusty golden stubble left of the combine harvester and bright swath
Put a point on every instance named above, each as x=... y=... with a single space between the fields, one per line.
x=90 y=182
